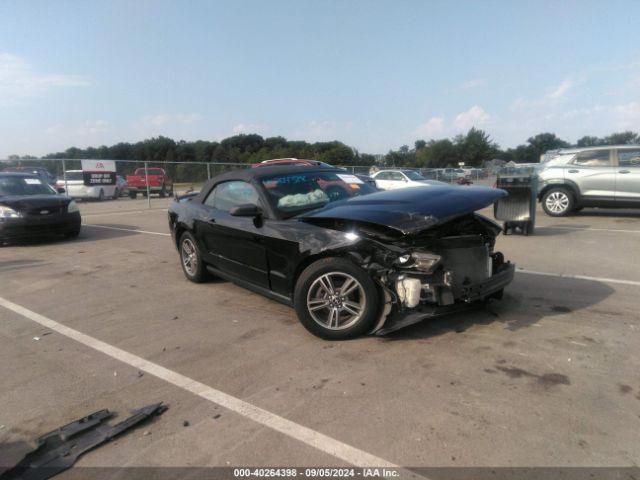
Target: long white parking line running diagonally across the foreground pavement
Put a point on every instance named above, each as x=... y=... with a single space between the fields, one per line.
x=280 y=424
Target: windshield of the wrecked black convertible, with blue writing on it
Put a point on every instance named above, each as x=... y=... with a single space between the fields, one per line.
x=299 y=192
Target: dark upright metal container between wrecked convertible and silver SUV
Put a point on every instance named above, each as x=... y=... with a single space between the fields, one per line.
x=518 y=209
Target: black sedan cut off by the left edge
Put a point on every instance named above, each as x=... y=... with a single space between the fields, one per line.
x=31 y=208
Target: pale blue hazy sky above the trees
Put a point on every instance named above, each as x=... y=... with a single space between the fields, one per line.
x=374 y=74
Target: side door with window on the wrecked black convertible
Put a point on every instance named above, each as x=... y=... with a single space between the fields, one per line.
x=235 y=244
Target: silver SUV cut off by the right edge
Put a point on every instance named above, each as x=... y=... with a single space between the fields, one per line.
x=571 y=179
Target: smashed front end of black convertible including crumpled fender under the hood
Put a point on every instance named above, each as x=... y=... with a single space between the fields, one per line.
x=431 y=271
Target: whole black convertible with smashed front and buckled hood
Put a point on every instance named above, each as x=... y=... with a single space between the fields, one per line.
x=350 y=259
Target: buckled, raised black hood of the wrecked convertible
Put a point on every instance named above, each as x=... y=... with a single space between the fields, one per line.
x=410 y=210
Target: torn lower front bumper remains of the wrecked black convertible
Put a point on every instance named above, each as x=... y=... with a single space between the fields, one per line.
x=469 y=297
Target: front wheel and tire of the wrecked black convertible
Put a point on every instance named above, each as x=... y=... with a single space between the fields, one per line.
x=358 y=315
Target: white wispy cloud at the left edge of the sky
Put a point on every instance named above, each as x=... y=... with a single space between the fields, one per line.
x=19 y=81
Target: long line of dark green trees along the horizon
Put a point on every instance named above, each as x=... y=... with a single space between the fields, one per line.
x=473 y=148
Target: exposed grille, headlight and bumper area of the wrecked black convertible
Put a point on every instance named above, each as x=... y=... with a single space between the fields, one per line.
x=444 y=270
